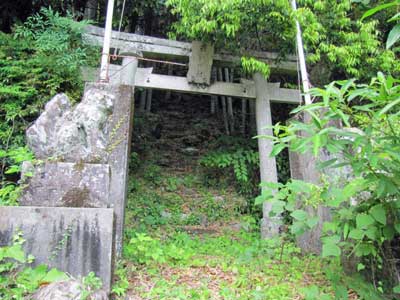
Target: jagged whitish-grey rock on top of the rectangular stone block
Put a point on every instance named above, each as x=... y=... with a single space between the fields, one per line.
x=73 y=134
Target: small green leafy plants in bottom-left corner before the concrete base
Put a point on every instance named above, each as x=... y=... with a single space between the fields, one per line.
x=17 y=280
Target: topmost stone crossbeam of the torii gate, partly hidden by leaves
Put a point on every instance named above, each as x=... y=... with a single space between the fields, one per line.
x=152 y=47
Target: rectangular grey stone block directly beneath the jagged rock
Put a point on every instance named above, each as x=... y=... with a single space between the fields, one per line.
x=66 y=185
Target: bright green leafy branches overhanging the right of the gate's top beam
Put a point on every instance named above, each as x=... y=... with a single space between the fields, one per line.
x=332 y=32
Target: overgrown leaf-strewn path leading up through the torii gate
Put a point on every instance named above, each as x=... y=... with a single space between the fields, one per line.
x=185 y=239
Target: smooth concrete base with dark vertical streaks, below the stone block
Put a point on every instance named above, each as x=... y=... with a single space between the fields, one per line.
x=74 y=240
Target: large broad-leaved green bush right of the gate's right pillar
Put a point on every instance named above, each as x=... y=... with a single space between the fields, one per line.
x=365 y=205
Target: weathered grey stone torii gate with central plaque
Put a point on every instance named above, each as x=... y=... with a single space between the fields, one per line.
x=201 y=58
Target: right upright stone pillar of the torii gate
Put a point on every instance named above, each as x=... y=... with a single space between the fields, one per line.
x=268 y=171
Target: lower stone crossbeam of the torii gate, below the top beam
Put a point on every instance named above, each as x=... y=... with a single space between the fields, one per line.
x=145 y=79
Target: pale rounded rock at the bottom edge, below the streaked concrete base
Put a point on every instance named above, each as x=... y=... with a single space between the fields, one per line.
x=66 y=290
